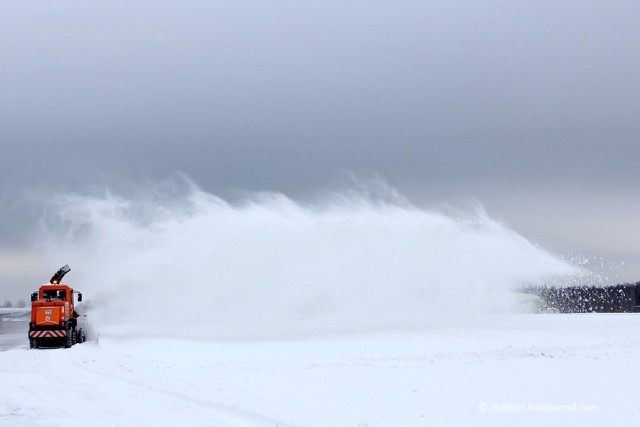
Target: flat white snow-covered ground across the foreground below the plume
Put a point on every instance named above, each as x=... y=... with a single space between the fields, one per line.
x=518 y=370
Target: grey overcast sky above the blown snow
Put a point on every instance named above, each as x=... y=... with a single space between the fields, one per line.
x=529 y=106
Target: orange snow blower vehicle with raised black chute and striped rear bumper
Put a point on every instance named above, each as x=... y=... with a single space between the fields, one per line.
x=54 y=320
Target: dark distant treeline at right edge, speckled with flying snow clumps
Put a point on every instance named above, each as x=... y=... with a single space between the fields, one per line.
x=624 y=298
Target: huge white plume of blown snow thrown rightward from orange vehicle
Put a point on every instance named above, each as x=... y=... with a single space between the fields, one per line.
x=188 y=263
